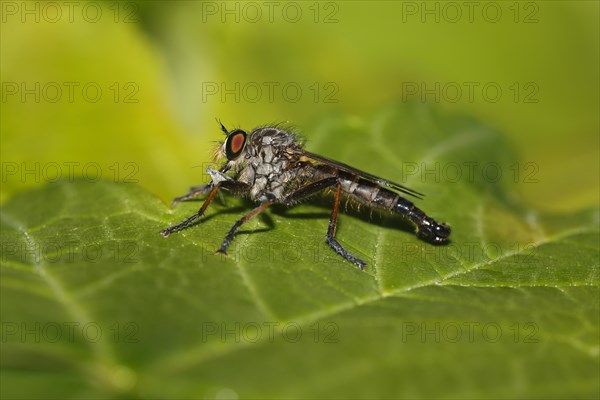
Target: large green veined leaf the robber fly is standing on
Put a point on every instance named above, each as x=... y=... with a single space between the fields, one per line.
x=96 y=303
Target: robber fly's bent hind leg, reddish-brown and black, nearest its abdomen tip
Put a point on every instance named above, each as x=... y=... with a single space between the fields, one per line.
x=333 y=243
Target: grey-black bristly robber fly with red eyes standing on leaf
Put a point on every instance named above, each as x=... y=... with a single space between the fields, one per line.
x=269 y=165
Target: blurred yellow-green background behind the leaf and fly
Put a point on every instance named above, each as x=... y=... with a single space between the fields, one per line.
x=167 y=70
